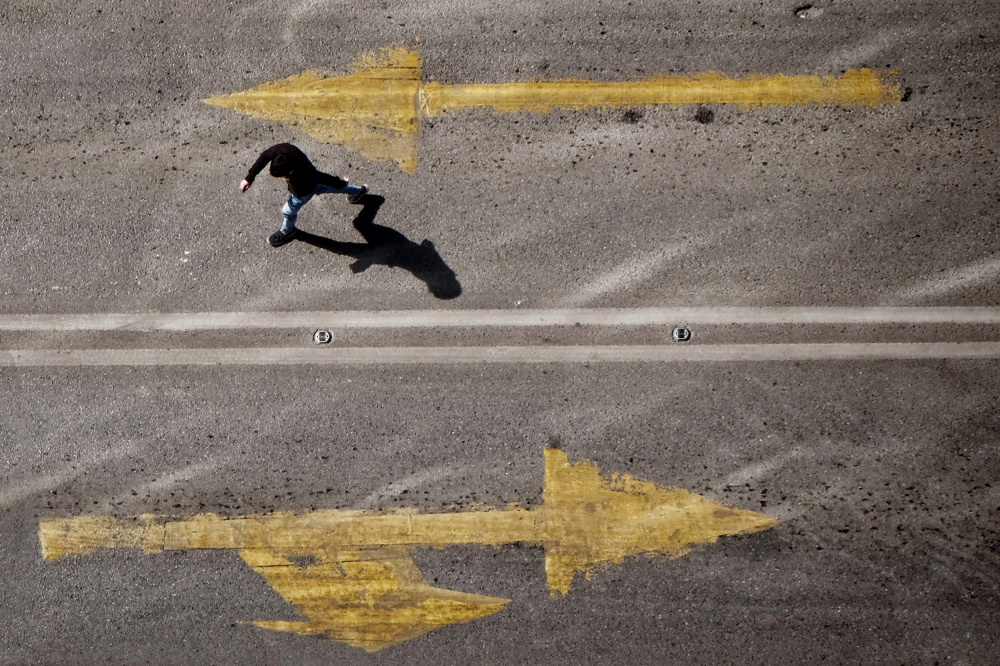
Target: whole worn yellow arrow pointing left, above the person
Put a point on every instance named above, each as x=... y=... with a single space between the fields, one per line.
x=378 y=110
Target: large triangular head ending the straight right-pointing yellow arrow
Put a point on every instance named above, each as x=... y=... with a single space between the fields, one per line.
x=591 y=523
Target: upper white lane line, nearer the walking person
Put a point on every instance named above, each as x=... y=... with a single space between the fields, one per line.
x=668 y=316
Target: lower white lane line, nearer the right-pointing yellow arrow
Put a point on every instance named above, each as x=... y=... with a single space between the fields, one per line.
x=457 y=355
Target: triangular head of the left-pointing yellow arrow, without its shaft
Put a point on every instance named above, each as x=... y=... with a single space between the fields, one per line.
x=374 y=111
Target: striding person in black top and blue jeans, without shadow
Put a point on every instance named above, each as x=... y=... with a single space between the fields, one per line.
x=304 y=181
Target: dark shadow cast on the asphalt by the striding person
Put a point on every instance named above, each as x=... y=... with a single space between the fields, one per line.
x=387 y=247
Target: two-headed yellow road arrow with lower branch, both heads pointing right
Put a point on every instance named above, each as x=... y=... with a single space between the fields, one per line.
x=359 y=585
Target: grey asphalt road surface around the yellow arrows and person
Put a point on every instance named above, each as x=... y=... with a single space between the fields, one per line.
x=837 y=266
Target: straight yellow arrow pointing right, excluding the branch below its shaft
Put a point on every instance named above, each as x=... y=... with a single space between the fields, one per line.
x=585 y=523
